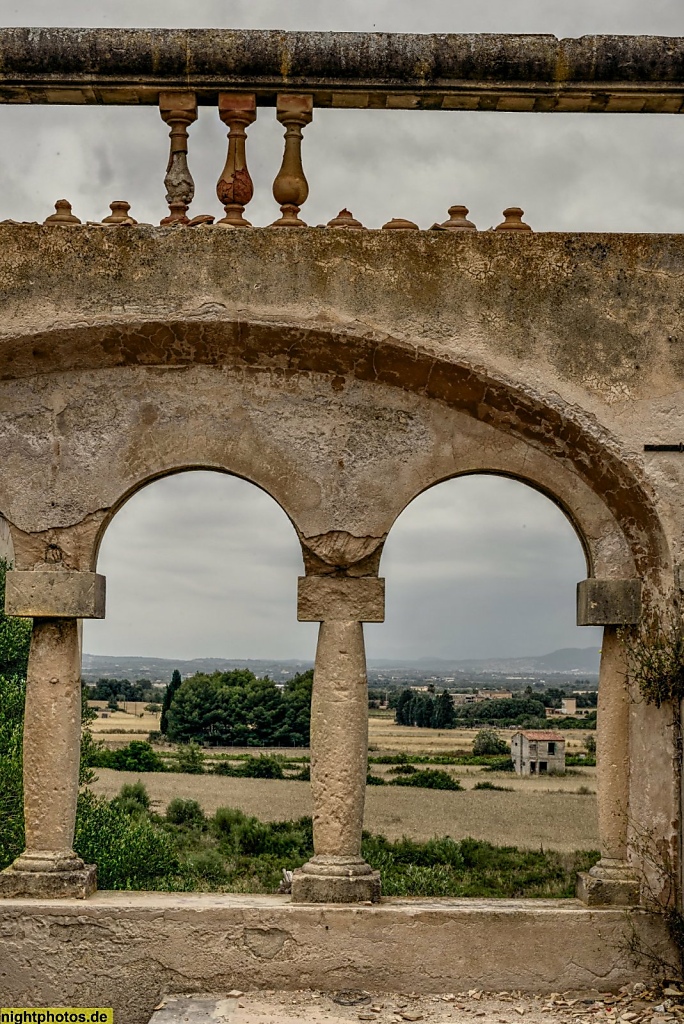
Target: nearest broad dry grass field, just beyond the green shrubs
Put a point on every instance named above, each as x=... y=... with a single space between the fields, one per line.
x=545 y=816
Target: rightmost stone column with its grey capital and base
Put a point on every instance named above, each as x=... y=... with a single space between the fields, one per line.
x=612 y=605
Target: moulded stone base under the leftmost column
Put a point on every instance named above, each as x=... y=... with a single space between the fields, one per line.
x=49 y=876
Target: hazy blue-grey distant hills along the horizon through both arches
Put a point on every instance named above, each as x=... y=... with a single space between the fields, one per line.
x=574 y=661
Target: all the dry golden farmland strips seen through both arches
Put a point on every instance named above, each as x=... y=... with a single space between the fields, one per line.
x=547 y=813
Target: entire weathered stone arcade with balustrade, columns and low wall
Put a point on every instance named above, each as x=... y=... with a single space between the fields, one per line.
x=345 y=371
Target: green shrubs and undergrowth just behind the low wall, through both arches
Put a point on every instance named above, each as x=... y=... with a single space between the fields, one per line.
x=187 y=850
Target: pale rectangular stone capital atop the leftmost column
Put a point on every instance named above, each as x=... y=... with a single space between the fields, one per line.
x=55 y=595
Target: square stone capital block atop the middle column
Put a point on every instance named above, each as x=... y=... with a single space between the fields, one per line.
x=340 y=600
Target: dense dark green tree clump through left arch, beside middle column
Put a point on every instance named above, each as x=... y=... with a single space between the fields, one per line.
x=230 y=708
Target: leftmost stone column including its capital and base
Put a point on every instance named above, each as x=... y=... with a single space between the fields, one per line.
x=56 y=602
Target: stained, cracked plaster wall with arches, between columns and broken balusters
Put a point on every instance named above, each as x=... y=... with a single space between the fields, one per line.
x=345 y=373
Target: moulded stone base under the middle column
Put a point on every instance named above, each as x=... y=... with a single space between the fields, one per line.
x=336 y=880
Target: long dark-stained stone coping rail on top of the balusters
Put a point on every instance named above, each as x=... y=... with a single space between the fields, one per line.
x=614 y=73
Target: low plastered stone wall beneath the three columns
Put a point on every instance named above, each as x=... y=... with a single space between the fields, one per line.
x=130 y=950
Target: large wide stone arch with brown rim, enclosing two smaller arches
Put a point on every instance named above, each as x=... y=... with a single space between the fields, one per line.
x=409 y=412
